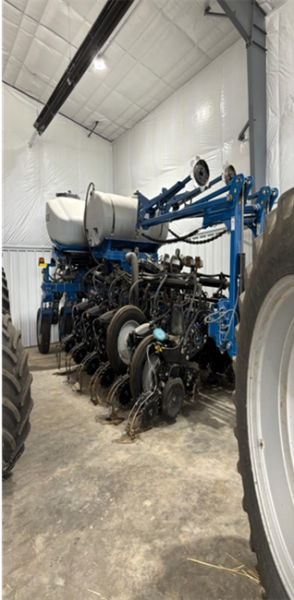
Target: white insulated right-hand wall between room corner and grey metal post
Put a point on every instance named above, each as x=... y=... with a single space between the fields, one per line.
x=203 y=118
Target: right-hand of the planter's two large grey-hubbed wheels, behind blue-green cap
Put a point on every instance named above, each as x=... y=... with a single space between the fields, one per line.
x=144 y=365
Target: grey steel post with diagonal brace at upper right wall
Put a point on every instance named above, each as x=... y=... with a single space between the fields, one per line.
x=249 y=20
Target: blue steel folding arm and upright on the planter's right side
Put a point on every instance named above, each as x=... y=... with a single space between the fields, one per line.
x=233 y=206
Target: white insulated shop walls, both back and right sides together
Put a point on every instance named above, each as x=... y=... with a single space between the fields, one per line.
x=203 y=118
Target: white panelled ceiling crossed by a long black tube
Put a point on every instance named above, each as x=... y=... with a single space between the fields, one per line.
x=158 y=46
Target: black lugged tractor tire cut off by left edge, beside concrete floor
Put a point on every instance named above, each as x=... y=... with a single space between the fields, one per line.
x=16 y=402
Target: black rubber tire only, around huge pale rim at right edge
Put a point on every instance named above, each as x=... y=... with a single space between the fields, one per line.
x=273 y=259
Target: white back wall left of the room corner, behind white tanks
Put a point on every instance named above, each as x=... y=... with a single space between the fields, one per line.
x=64 y=158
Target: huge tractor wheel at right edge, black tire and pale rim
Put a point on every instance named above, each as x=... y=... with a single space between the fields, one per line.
x=265 y=400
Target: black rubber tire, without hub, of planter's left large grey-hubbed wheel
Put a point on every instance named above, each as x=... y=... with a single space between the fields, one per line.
x=121 y=317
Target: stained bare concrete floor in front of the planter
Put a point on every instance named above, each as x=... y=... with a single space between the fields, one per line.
x=88 y=518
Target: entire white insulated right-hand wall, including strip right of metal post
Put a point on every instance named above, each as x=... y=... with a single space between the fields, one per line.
x=204 y=118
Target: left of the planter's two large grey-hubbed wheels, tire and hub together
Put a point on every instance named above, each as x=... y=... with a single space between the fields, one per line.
x=125 y=320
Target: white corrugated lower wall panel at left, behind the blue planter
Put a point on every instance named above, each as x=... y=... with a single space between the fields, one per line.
x=24 y=281
